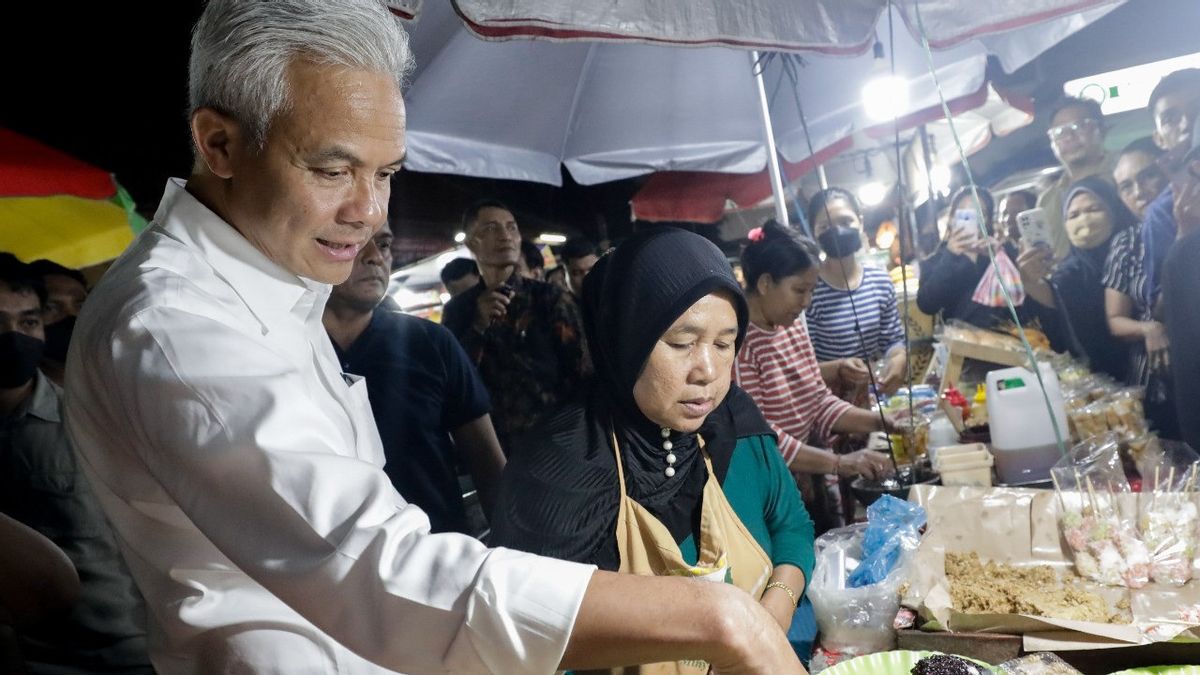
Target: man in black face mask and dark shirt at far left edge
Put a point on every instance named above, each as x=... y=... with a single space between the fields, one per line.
x=44 y=487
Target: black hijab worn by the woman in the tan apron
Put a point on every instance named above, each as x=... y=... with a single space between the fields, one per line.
x=560 y=493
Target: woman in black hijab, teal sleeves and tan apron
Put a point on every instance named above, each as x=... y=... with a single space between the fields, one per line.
x=662 y=467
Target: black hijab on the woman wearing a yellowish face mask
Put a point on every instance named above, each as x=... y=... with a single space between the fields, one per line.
x=1078 y=285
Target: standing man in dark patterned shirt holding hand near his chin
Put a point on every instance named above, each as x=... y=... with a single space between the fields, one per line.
x=525 y=336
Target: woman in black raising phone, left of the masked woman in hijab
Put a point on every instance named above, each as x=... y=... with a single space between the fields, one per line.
x=959 y=280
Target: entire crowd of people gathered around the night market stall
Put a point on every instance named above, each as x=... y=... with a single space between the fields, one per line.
x=251 y=461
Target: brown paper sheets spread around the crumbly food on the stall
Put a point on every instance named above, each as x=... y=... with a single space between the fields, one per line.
x=1021 y=528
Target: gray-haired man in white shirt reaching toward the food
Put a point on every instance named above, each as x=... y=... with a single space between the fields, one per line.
x=243 y=471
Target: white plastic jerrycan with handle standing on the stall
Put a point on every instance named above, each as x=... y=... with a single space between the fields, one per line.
x=1023 y=437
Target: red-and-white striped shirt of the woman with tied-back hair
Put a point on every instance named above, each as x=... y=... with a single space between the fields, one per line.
x=781 y=373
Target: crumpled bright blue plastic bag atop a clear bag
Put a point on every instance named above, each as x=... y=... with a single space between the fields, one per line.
x=892 y=528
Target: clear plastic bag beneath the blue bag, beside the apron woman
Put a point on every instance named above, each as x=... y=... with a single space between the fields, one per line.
x=854 y=622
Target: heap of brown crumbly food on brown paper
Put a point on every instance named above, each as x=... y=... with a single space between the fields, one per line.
x=992 y=588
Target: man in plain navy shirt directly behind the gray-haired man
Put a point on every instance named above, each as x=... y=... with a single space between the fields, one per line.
x=428 y=402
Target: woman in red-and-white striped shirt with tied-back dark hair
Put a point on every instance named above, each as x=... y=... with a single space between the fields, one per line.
x=779 y=369
